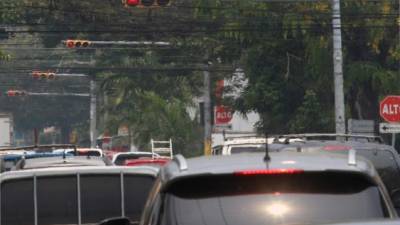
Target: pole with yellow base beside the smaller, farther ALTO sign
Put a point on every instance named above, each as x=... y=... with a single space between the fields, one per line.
x=207 y=113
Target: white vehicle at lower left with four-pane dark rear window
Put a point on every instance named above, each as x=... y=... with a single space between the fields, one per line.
x=74 y=195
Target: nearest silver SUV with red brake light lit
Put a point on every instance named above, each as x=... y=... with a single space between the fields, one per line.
x=291 y=188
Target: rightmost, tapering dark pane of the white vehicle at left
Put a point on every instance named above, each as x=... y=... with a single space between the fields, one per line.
x=137 y=189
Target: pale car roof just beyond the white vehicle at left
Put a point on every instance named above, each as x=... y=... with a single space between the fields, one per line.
x=63 y=162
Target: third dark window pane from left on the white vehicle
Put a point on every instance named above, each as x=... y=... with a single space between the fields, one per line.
x=101 y=197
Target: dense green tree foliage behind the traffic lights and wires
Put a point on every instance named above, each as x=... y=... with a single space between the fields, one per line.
x=284 y=48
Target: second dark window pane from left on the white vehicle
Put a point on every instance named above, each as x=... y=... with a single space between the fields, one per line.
x=57 y=200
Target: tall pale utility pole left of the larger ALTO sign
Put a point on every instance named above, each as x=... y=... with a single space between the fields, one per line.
x=338 y=68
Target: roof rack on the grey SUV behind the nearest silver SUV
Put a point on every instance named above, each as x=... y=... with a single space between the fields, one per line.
x=317 y=136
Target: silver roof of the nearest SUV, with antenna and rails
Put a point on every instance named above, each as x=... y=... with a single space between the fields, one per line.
x=315 y=161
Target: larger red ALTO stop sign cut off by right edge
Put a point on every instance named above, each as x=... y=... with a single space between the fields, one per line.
x=390 y=108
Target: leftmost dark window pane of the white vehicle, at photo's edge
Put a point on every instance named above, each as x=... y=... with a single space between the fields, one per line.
x=17 y=202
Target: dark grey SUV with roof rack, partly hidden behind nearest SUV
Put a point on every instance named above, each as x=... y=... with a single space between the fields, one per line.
x=384 y=157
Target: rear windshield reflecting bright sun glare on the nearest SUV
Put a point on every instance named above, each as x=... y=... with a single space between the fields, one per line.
x=271 y=199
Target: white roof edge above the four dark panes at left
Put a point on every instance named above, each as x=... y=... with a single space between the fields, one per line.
x=60 y=171
